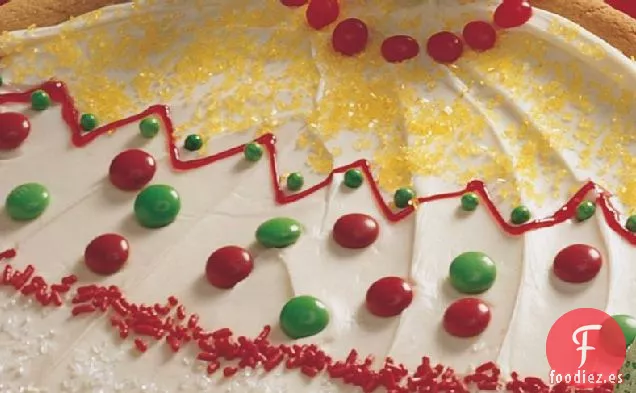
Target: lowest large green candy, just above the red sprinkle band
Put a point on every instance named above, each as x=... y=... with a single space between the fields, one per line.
x=303 y=316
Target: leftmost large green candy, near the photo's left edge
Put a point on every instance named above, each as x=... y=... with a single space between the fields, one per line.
x=27 y=201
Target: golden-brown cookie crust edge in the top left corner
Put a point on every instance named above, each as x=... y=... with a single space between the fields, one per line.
x=21 y=14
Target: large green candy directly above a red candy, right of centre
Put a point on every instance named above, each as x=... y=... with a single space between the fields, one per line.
x=472 y=272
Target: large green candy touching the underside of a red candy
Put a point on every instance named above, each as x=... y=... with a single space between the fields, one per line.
x=157 y=206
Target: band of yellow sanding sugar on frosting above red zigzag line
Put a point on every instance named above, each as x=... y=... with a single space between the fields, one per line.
x=516 y=116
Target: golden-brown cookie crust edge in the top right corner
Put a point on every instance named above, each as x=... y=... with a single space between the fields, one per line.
x=599 y=18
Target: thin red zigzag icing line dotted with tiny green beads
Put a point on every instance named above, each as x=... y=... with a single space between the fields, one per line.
x=60 y=94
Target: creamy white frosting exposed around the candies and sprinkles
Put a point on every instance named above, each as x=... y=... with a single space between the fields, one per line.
x=223 y=204
